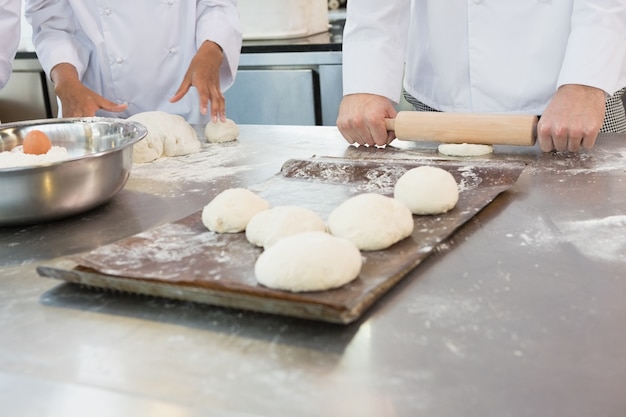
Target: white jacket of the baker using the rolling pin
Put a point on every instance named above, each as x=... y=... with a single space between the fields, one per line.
x=502 y=56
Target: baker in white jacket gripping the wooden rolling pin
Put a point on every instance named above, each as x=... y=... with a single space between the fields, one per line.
x=558 y=59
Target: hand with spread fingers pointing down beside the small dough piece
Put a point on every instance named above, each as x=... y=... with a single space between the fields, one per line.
x=204 y=74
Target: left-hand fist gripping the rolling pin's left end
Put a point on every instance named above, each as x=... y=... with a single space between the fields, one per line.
x=362 y=119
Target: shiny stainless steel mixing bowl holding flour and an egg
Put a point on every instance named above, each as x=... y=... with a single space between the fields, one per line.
x=100 y=160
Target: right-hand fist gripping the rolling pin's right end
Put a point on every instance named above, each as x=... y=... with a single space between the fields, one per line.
x=572 y=119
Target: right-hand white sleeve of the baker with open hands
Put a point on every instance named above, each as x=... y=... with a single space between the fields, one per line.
x=218 y=21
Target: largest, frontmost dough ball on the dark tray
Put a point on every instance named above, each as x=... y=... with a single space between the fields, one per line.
x=310 y=261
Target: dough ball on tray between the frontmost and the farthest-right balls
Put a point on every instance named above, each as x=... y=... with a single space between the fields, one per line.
x=371 y=221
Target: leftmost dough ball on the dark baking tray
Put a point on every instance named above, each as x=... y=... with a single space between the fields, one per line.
x=231 y=210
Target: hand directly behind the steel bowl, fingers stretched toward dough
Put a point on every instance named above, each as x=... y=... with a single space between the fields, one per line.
x=76 y=99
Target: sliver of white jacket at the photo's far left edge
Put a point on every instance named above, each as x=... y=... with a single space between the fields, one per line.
x=10 y=19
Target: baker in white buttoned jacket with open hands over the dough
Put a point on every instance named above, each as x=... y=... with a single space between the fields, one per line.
x=117 y=57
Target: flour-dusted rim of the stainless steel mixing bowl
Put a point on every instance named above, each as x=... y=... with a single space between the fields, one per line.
x=143 y=131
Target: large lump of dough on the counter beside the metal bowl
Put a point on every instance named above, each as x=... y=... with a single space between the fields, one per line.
x=168 y=135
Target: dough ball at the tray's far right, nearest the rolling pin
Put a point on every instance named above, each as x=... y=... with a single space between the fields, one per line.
x=427 y=190
